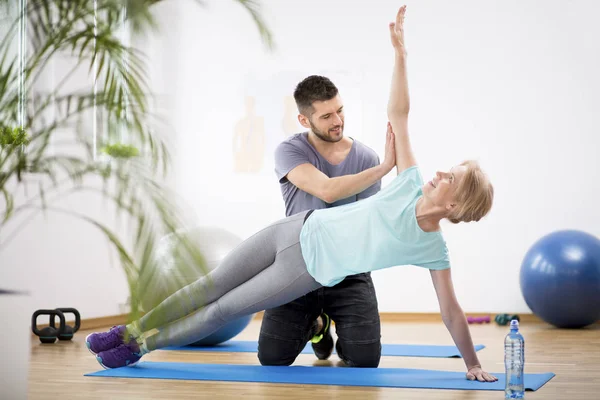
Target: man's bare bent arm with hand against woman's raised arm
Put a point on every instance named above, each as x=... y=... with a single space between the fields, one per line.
x=309 y=179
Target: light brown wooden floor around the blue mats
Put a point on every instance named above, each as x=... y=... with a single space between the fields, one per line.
x=57 y=370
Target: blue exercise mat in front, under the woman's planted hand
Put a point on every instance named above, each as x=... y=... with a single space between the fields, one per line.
x=336 y=376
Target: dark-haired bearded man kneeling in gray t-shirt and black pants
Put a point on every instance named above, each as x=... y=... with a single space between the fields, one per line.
x=318 y=169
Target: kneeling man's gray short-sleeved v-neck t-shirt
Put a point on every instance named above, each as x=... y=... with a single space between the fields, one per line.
x=296 y=150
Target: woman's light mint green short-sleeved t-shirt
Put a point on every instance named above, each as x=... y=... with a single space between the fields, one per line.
x=375 y=233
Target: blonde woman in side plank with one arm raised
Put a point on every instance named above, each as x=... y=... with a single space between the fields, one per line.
x=398 y=226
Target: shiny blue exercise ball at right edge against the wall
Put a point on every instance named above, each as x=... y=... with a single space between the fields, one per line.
x=560 y=279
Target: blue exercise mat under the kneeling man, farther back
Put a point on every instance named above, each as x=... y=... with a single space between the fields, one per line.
x=398 y=350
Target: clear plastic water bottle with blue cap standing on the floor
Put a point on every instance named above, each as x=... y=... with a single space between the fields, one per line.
x=514 y=362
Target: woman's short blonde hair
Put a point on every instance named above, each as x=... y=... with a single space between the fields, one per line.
x=474 y=196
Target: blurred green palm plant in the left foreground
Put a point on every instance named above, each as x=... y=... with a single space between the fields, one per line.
x=50 y=146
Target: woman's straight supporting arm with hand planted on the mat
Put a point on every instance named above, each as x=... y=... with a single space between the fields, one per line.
x=456 y=323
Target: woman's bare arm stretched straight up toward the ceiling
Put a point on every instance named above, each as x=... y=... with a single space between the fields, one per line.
x=399 y=101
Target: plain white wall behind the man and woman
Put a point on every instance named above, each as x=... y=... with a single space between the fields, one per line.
x=511 y=83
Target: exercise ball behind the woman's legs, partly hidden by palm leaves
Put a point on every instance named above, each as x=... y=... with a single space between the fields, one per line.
x=171 y=275
